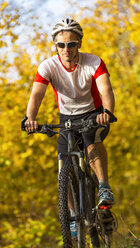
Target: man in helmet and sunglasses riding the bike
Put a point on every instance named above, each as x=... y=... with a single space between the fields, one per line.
x=78 y=80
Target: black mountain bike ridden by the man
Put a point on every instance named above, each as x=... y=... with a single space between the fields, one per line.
x=78 y=186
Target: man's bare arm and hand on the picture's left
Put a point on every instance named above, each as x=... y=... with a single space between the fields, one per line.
x=37 y=94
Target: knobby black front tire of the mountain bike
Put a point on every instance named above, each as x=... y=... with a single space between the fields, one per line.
x=68 y=173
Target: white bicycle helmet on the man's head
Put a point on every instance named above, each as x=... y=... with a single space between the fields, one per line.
x=67 y=25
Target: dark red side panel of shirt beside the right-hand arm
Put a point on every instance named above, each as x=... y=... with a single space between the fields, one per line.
x=95 y=94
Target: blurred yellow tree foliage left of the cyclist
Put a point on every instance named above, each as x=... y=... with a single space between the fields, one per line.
x=28 y=164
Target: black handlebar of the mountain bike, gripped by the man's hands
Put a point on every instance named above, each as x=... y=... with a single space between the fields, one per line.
x=81 y=126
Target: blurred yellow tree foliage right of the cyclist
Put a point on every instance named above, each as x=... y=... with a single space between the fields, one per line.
x=112 y=33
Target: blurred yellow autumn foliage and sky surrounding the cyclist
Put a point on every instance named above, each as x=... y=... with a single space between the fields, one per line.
x=28 y=164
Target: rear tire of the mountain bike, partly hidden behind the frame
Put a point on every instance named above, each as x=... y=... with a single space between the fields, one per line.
x=91 y=203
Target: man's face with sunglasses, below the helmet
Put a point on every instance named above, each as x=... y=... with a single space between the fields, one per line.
x=67 y=54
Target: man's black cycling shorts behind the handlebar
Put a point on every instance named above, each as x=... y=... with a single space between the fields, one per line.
x=90 y=137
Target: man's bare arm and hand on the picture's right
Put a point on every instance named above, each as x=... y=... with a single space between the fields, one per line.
x=105 y=89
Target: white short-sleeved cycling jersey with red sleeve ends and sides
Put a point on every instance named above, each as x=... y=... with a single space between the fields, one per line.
x=76 y=91
